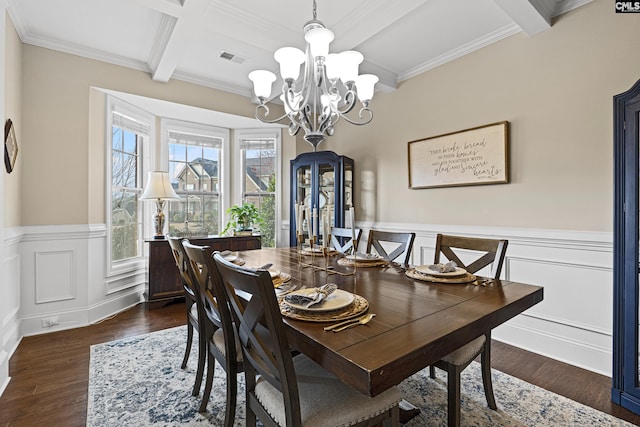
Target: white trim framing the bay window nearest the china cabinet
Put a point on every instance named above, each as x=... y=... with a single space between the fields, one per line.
x=241 y=134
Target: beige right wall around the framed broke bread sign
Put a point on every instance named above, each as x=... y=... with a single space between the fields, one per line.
x=554 y=88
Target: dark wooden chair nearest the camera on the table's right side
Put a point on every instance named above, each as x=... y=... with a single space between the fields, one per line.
x=478 y=253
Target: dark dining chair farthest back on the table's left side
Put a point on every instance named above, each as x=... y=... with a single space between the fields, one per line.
x=193 y=314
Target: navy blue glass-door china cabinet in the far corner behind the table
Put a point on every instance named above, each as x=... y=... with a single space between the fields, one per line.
x=322 y=180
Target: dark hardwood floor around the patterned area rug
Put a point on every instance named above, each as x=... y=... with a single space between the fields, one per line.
x=50 y=372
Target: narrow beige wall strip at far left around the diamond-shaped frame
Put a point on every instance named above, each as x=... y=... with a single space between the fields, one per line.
x=13 y=111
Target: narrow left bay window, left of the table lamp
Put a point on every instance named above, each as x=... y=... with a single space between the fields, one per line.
x=128 y=131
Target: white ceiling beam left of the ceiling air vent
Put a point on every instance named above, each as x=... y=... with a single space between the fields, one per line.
x=173 y=38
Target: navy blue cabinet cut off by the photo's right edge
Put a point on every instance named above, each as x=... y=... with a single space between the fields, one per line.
x=626 y=234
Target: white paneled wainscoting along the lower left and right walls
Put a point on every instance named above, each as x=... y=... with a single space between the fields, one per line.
x=572 y=323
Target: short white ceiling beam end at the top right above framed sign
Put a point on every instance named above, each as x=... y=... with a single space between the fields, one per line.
x=532 y=16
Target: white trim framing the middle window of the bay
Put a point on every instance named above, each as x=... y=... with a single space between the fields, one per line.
x=202 y=129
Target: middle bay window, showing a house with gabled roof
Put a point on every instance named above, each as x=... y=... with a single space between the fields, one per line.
x=195 y=169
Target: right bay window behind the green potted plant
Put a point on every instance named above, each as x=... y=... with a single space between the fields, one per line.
x=259 y=178
